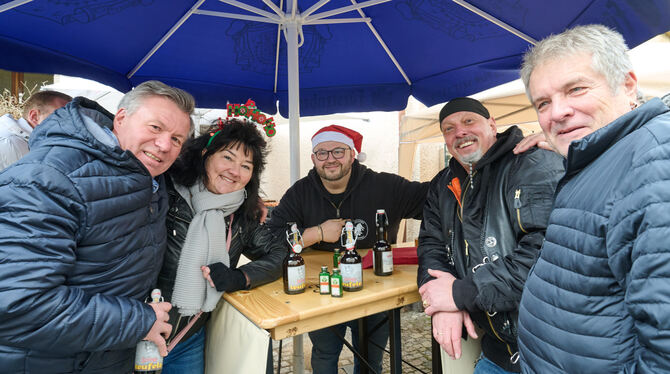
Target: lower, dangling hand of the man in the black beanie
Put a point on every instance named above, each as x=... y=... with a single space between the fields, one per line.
x=447 y=330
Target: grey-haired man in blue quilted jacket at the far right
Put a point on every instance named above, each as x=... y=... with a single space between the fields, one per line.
x=598 y=298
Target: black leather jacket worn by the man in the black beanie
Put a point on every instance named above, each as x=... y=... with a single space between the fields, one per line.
x=492 y=241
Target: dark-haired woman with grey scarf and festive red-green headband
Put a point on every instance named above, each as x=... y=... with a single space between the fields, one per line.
x=214 y=214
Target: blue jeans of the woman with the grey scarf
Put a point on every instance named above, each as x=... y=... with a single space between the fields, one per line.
x=188 y=356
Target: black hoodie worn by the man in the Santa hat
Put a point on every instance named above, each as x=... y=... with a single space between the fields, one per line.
x=308 y=203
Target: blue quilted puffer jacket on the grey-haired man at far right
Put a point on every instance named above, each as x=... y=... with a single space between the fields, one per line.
x=598 y=298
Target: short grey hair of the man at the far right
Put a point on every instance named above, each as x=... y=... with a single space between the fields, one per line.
x=606 y=46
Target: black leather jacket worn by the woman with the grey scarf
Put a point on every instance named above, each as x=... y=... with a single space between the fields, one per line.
x=256 y=243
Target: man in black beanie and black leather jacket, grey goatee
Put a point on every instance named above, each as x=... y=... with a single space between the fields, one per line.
x=482 y=229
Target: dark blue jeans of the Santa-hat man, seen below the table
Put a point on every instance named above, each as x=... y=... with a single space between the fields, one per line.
x=326 y=346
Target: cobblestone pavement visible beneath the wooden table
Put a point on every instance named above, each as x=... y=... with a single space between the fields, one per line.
x=415 y=332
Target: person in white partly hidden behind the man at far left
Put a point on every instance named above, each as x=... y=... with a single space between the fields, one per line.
x=14 y=134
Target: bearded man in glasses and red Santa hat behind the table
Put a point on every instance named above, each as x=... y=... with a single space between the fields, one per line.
x=339 y=188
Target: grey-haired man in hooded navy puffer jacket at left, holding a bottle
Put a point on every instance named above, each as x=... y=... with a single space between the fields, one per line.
x=82 y=234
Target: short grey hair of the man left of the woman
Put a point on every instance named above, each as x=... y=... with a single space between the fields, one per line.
x=132 y=100
